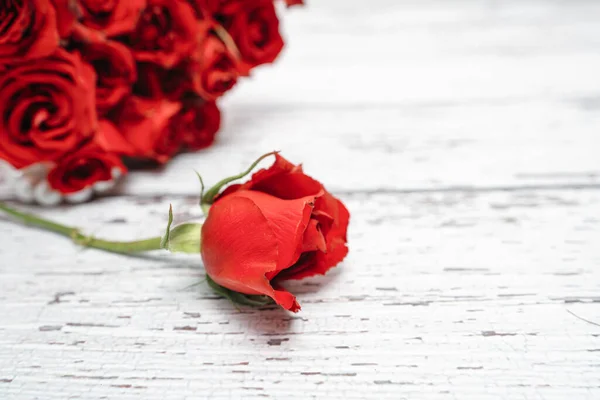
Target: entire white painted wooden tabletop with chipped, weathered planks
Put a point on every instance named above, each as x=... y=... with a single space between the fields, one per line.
x=464 y=136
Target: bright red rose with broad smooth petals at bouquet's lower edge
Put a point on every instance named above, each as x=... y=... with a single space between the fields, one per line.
x=145 y=123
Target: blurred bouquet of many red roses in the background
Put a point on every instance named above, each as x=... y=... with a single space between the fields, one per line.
x=84 y=83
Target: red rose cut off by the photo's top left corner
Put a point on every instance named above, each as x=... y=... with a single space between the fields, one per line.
x=27 y=30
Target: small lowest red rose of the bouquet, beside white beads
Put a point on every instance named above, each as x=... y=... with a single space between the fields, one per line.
x=84 y=168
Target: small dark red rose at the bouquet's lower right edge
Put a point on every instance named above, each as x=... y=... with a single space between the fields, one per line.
x=198 y=125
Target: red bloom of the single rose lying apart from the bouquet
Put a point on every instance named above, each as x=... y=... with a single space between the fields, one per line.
x=280 y=225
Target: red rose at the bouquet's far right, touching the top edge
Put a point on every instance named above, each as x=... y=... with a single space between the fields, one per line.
x=255 y=30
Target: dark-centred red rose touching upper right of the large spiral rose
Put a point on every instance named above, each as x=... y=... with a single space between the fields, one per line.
x=115 y=70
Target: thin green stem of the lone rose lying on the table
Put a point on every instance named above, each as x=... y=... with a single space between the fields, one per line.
x=80 y=239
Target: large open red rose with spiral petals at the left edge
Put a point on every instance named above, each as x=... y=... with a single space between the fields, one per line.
x=46 y=108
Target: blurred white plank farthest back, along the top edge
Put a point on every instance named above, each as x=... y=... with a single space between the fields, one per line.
x=433 y=51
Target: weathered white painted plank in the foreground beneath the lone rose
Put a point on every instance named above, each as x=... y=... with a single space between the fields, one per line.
x=444 y=295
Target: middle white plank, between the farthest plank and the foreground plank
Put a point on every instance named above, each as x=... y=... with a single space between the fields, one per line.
x=518 y=144
